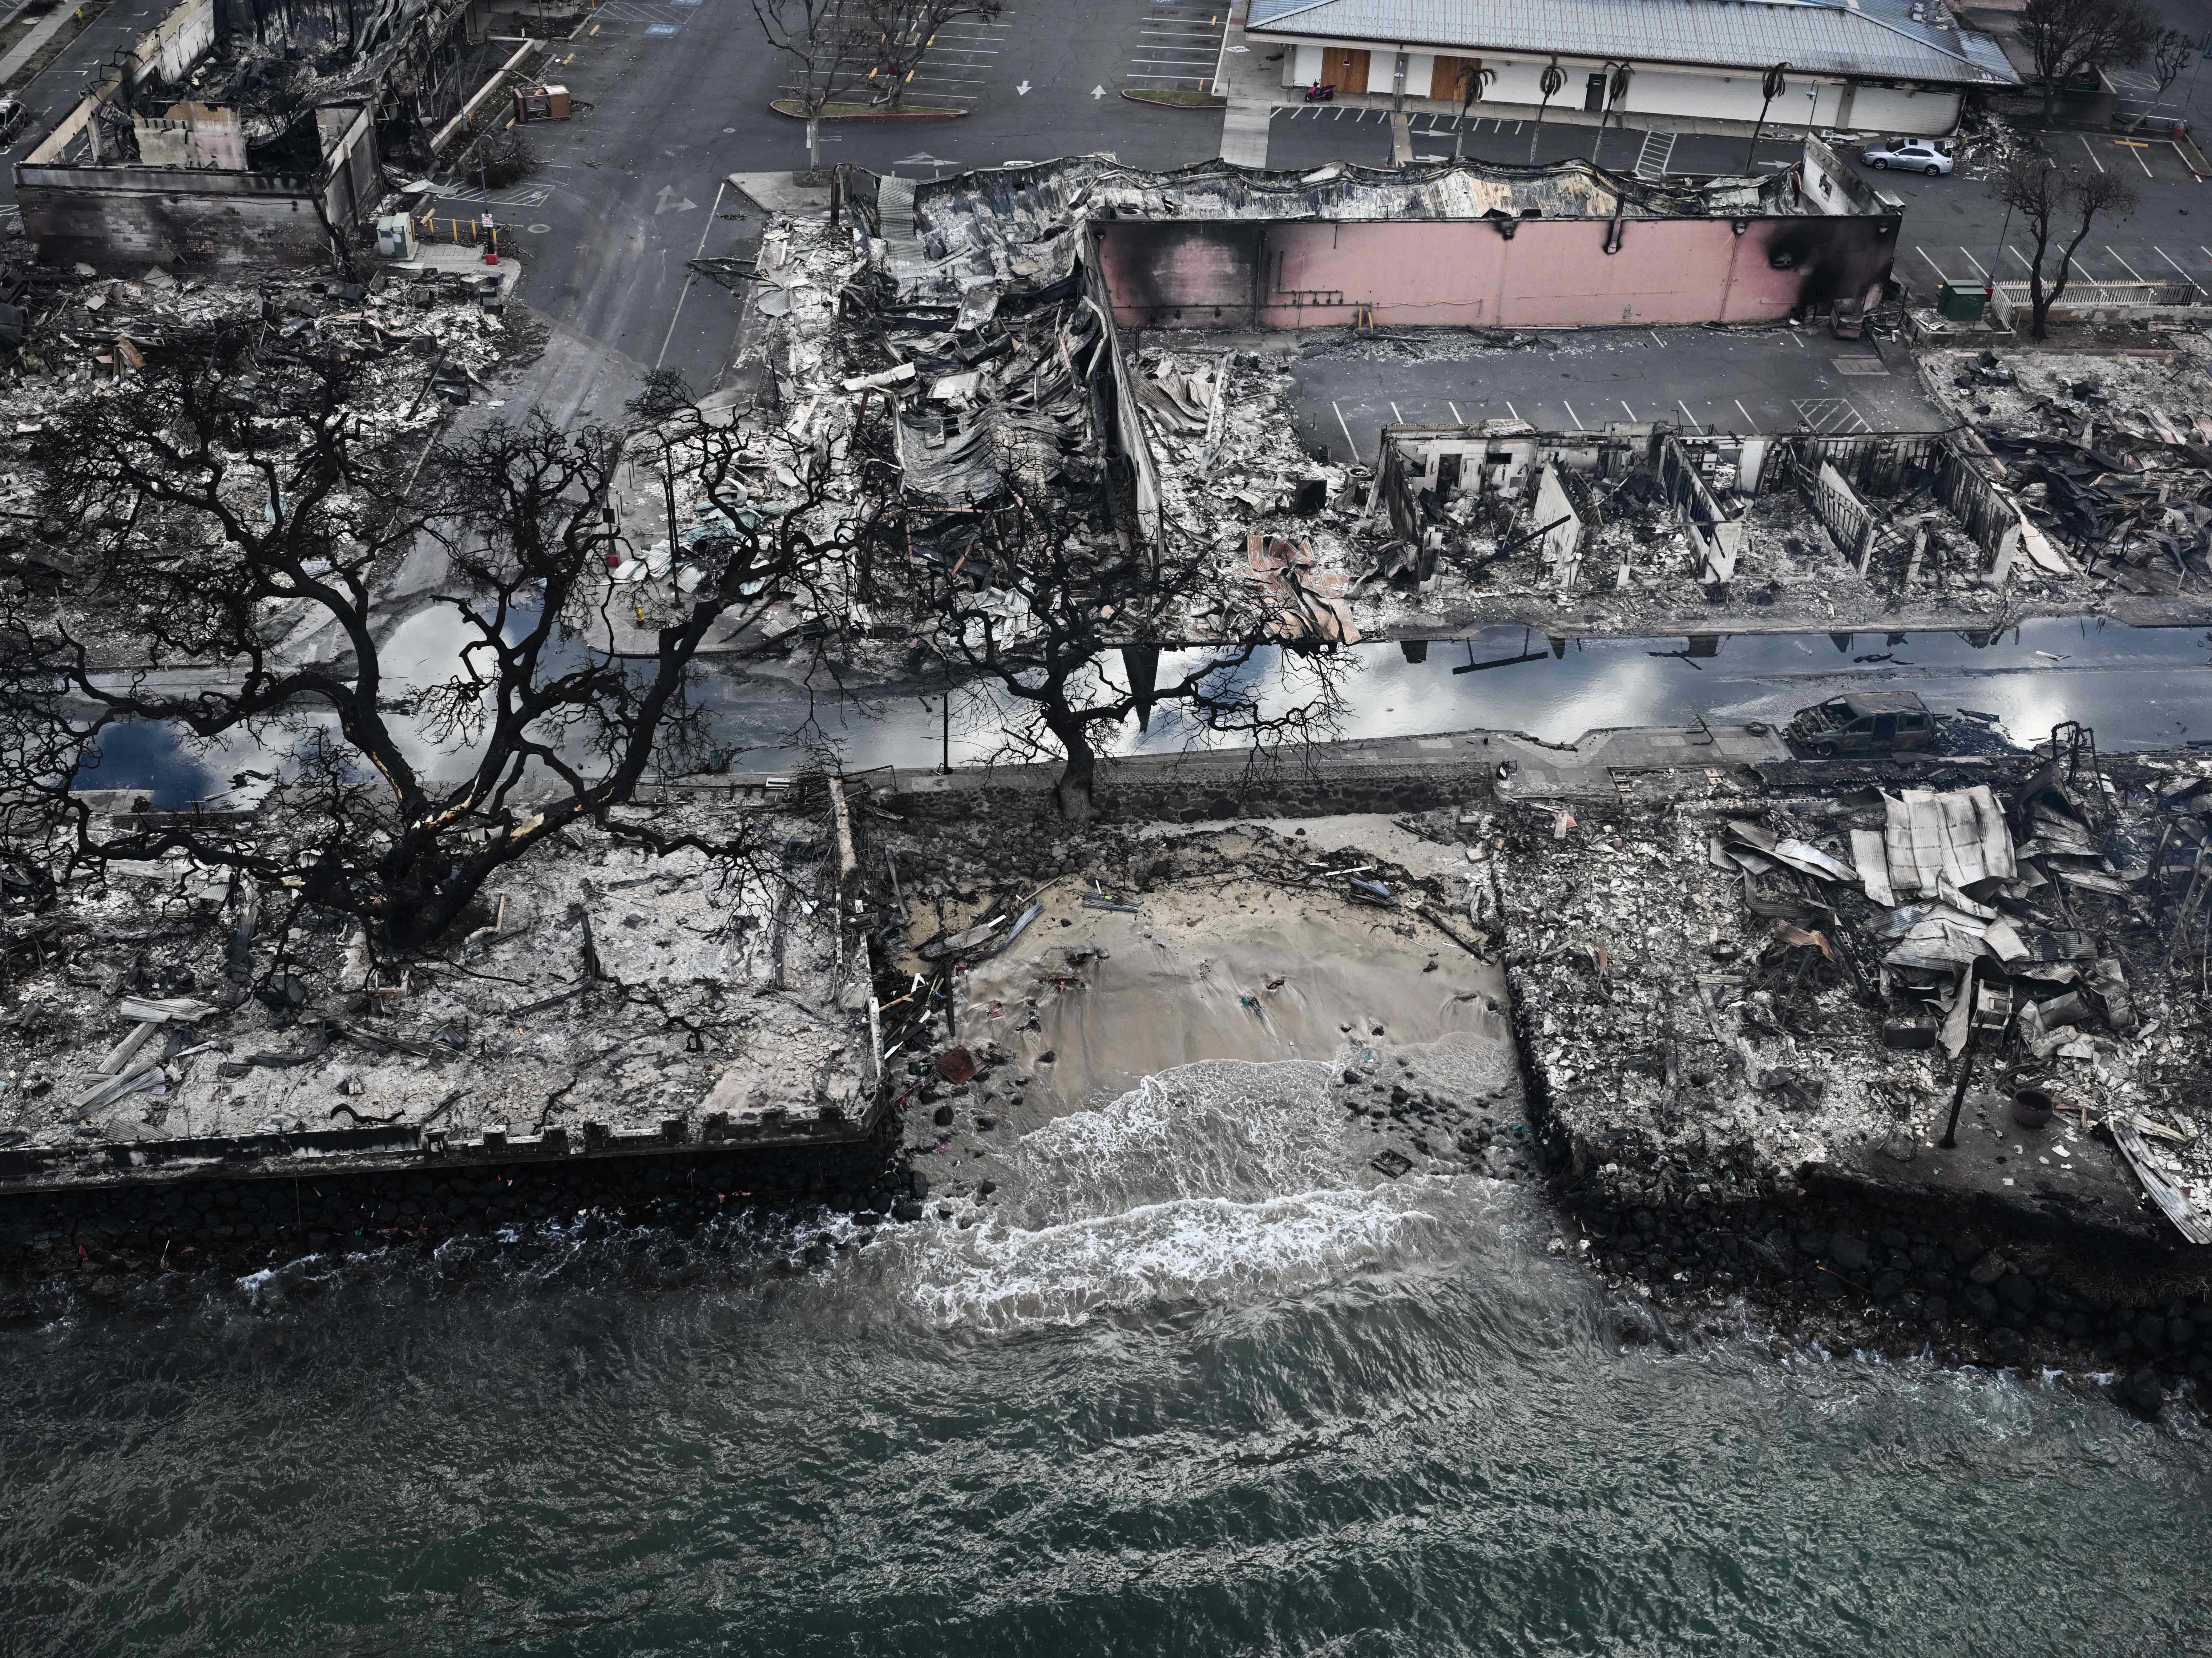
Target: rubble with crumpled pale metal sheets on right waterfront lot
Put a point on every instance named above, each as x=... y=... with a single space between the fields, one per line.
x=1731 y=991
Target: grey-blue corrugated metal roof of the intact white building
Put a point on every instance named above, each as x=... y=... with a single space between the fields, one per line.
x=1742 y=34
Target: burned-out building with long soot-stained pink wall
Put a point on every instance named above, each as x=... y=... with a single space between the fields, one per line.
x=1421 y=246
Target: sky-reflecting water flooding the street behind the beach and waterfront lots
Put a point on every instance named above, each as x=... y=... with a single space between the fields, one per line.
x=2133 y=686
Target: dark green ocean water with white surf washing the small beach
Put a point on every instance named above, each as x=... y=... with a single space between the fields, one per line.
x=1200 y=1383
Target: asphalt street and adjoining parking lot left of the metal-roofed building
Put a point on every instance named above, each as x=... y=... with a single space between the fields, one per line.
x=636 y=189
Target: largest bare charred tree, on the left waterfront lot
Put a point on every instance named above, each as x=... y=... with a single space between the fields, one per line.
x=233 y=536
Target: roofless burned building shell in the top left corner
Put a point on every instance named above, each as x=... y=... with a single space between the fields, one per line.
x=236 y=134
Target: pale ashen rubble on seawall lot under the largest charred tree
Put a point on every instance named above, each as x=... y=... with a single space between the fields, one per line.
x=171 y=1020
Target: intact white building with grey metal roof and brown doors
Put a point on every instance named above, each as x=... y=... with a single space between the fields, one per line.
x=1855 y=65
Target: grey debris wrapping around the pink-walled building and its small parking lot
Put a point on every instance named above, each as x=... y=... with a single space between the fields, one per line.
x=968 y=337
